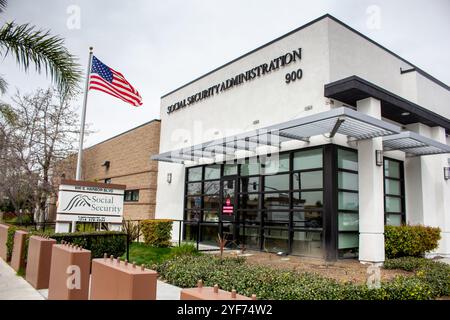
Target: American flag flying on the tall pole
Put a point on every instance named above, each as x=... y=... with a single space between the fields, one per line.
x=105 y=79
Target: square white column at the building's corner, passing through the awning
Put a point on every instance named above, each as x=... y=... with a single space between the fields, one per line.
x=371 y=191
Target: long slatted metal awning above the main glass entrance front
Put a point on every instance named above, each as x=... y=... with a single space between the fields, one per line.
x=346 y=121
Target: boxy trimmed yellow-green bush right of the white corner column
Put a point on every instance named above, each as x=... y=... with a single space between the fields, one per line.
x=412 y=241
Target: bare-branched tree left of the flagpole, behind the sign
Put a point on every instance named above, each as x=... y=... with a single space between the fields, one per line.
x=43 y=132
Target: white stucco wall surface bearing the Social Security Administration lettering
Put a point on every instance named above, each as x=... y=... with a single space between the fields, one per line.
x=330 y=52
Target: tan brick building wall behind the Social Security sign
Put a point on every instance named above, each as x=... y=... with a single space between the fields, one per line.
x=124 y=159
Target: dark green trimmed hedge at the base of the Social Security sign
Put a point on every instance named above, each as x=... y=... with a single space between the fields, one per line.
x=109 y=242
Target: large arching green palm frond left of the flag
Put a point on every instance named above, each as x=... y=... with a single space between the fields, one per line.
x=45 y=51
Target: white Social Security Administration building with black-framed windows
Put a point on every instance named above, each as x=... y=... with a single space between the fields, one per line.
x=309 y=145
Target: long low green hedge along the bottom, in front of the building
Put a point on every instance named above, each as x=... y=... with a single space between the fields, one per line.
x=270 y=283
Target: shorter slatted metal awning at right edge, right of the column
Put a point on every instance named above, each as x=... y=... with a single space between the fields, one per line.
x=414 y=144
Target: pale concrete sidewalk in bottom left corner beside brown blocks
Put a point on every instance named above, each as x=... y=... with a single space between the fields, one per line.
x=13 y=287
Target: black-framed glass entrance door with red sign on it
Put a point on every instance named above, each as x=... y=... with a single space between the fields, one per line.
x=228 y=209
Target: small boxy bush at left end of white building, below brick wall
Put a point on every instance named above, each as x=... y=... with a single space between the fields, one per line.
x=157 y=233
